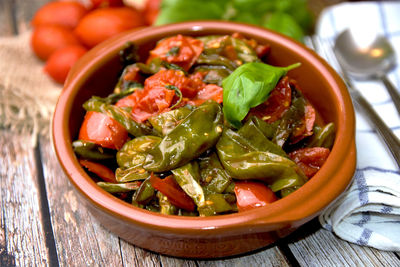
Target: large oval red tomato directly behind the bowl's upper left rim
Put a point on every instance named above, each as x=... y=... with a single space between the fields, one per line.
x=103 y=23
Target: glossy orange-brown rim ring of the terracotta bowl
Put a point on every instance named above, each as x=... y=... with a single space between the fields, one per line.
x=314 y=194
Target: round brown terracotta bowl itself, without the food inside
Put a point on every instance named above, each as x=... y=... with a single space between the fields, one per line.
x=224 y=235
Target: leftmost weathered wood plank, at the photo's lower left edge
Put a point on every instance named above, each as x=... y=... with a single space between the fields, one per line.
x=22 y=238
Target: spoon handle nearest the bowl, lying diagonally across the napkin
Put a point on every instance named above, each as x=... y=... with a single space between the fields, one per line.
x=391 y=140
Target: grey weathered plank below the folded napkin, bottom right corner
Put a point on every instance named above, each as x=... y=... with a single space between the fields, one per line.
x=314 y=246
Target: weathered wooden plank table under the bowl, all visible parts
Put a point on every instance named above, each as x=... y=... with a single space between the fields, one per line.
x=43 y=224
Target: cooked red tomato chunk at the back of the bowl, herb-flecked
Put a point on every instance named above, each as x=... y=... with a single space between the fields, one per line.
x=180 y=50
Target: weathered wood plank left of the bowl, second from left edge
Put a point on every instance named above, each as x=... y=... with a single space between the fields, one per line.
x=80 y=240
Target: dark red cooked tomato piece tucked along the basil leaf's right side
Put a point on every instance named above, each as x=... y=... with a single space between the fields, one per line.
x=277 y=103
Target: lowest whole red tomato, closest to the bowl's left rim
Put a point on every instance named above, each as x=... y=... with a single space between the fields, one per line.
x=61 y=61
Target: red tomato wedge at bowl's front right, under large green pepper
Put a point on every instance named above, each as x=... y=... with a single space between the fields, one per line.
x=250 y=195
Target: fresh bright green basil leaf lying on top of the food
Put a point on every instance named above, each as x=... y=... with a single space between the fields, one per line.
x=249 y=86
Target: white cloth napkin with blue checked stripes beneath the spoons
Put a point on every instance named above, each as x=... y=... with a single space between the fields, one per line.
x=368 y=213
